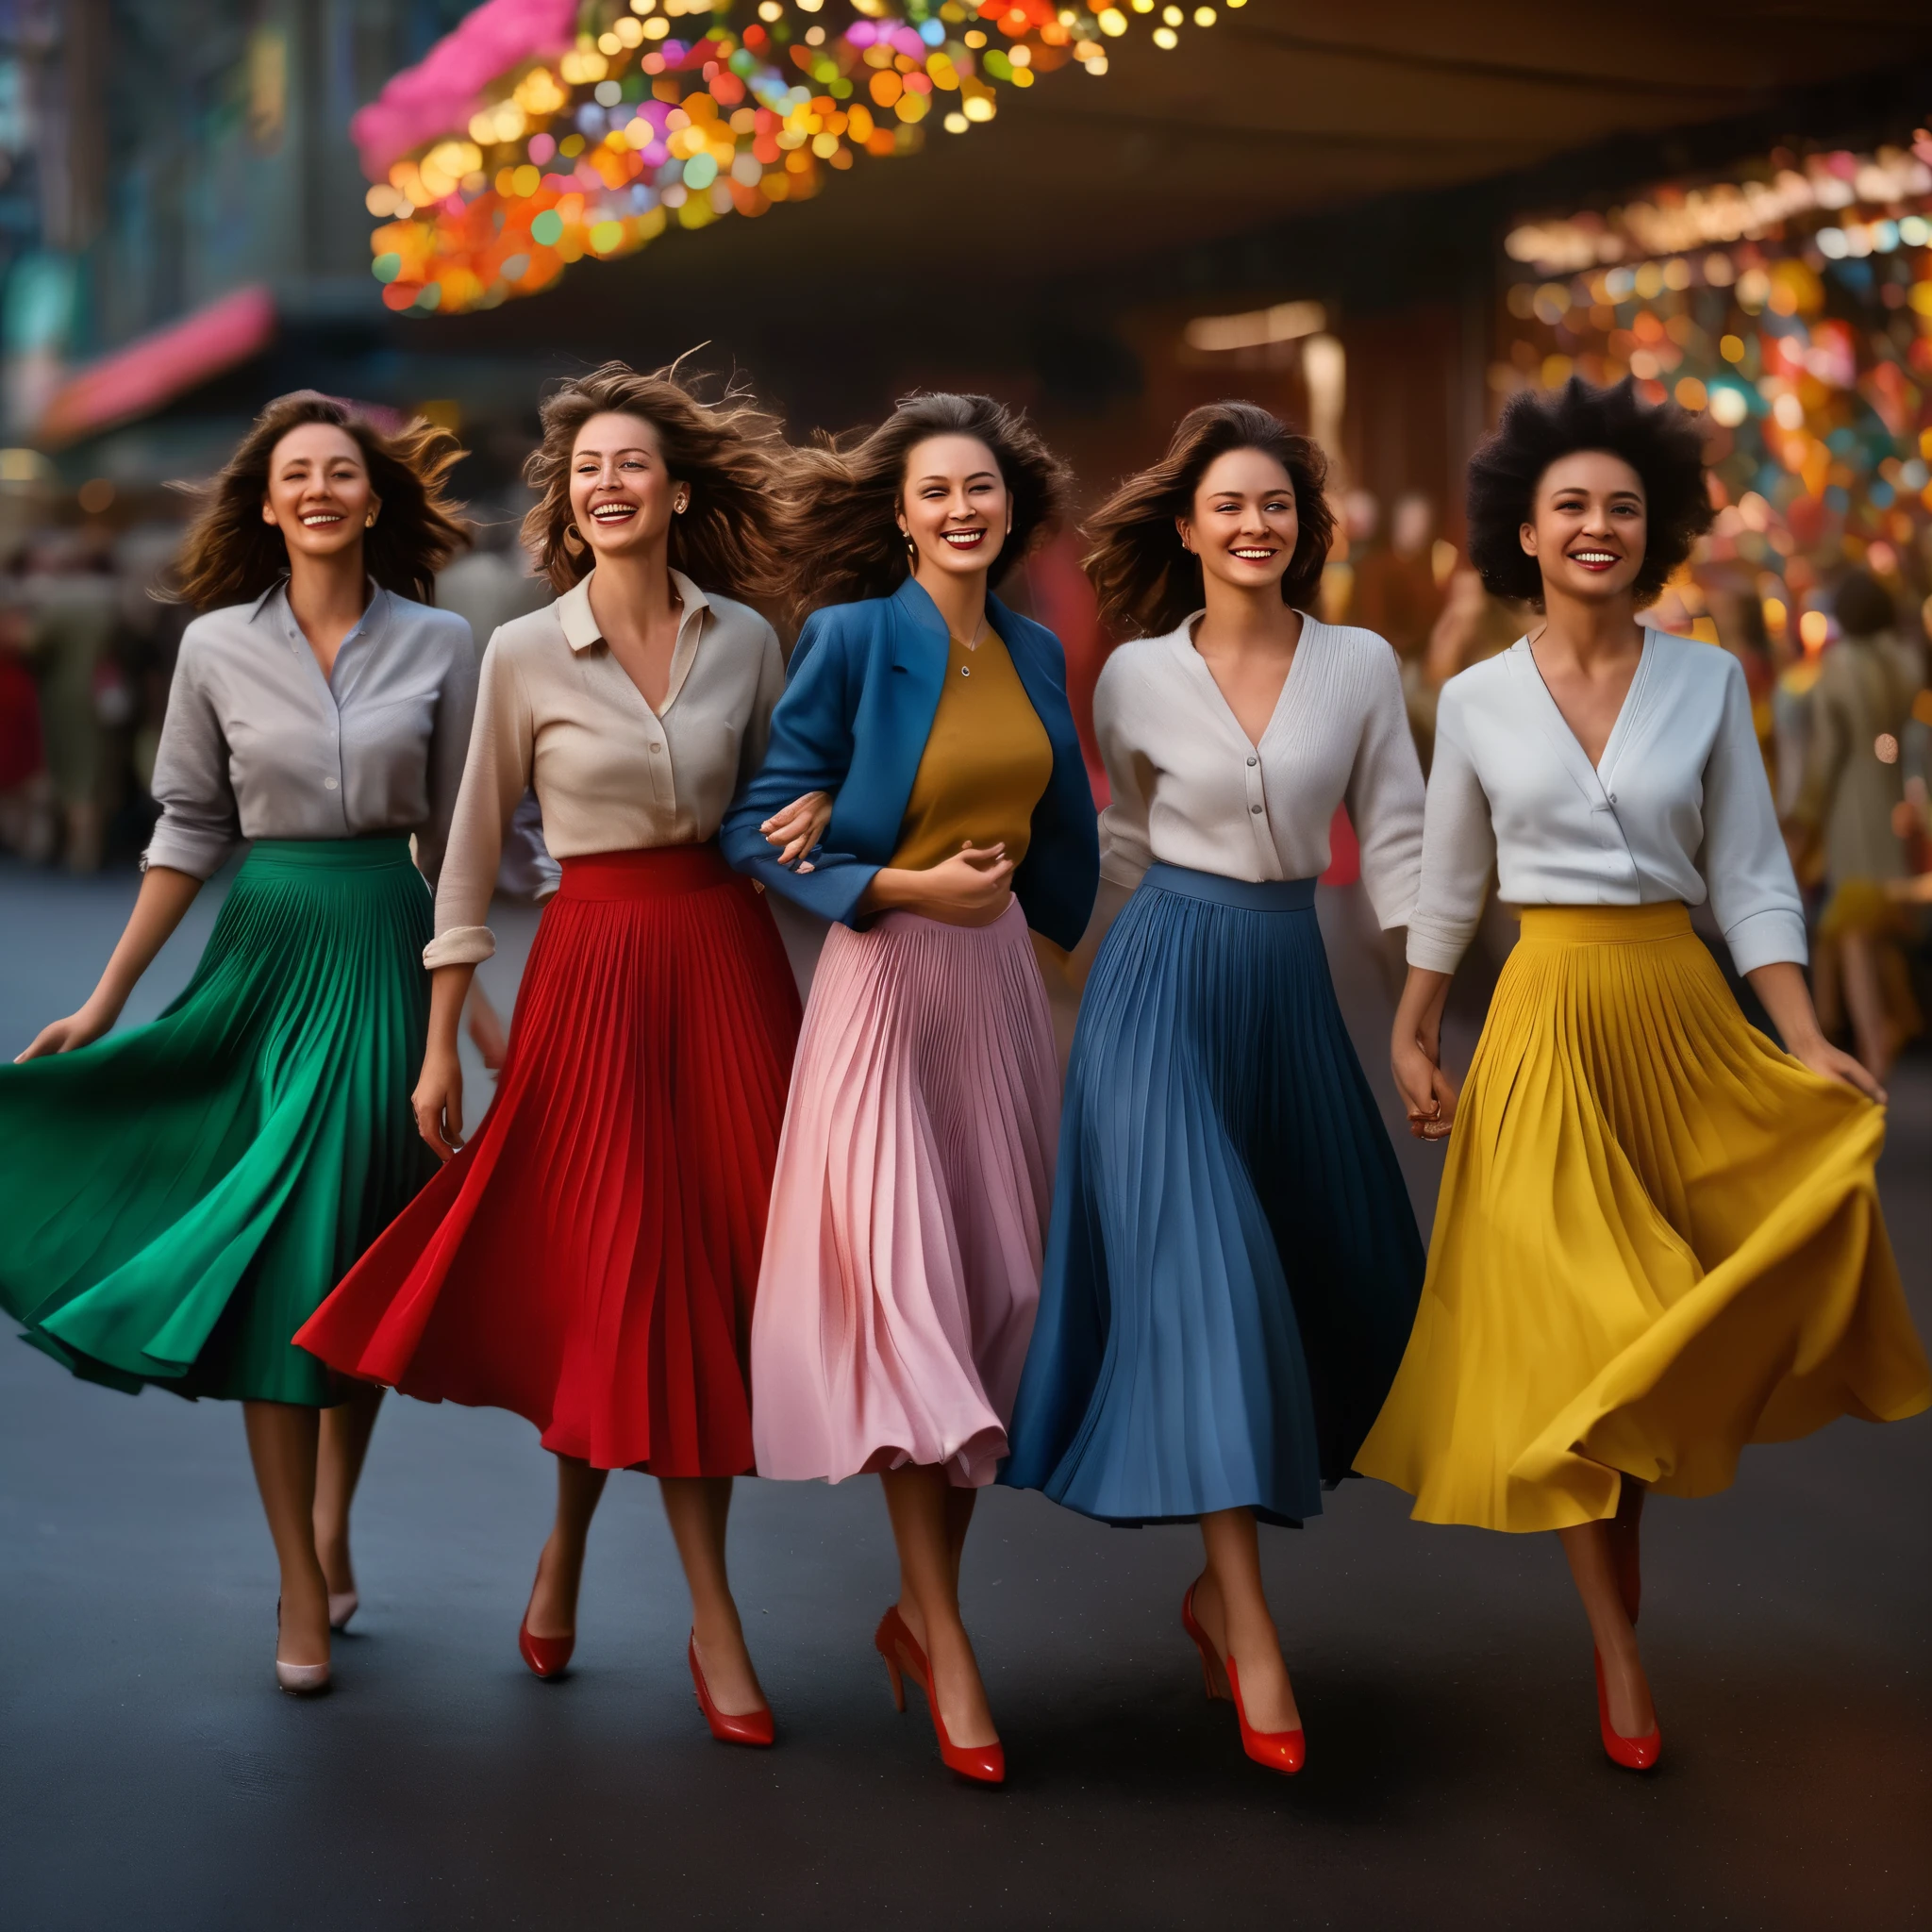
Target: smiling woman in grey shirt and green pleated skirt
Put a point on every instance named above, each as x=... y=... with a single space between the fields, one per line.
x=179 y=1199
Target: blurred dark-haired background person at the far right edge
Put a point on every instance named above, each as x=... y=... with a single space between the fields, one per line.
x=1848 y=807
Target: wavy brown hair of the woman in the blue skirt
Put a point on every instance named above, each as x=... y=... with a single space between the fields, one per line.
x=1143 y=577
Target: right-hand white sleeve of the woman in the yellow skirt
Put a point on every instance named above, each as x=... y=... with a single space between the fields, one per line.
x=1753 y=892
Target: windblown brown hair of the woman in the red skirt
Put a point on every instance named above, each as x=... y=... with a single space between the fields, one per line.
x=725 y=453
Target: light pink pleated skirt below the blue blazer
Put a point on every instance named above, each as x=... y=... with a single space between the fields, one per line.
x=911 y=1205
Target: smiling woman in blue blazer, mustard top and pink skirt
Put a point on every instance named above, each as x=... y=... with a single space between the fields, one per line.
x=909 y=1208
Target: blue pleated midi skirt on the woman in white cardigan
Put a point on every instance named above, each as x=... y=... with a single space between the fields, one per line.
x=1234 y=1264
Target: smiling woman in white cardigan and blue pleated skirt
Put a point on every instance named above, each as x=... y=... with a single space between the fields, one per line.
x=1234 y=1263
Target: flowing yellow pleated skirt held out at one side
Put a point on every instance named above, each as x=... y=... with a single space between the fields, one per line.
x=1659 y=1239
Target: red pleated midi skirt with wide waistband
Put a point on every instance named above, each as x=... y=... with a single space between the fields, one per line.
x=588 y=1261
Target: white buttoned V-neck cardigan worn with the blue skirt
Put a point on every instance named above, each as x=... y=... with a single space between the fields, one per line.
x=1189 y=789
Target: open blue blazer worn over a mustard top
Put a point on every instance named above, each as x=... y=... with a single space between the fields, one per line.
x=855 y=718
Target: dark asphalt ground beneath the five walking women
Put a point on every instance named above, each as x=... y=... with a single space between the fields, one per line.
x=152 y=1776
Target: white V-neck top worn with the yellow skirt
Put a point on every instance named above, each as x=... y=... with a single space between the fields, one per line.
x=1678 y=807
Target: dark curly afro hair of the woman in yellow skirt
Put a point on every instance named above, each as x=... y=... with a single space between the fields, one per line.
x=1659 y=441
